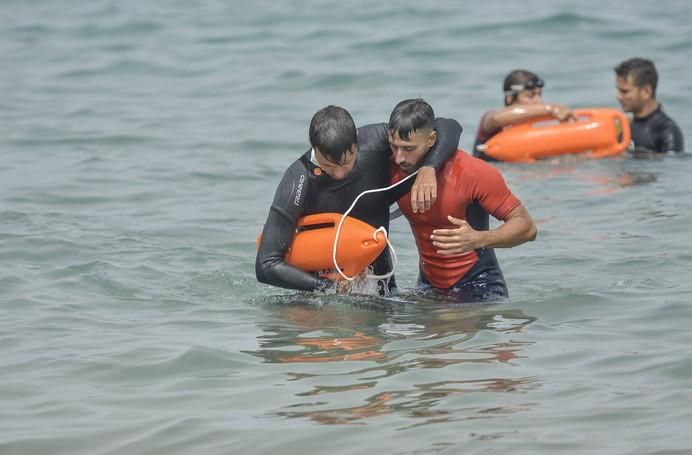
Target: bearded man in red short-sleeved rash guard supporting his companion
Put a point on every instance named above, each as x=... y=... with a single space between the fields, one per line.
x=455 y=244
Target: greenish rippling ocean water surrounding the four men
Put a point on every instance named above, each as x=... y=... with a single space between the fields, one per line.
x=141 y=145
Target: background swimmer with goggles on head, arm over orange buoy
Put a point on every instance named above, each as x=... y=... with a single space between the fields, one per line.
x=523 y=101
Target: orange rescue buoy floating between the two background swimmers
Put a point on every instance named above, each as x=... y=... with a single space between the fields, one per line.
x=598 y=132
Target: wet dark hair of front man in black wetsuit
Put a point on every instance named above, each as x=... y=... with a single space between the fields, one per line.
x=332 y=132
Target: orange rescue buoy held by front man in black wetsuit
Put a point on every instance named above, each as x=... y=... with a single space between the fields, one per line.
x=312 y=247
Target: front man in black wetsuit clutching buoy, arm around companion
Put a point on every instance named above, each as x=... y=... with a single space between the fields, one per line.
x=341 y=164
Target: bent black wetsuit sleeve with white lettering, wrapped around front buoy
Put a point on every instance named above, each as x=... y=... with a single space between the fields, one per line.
x=287 y=207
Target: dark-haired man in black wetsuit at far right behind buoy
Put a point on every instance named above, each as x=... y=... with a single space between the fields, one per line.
x=652 y=130
